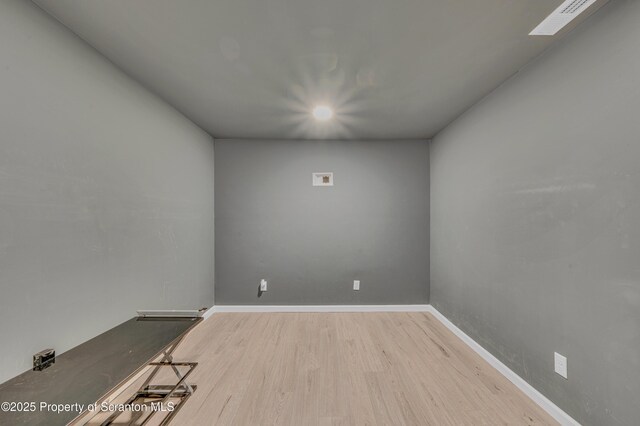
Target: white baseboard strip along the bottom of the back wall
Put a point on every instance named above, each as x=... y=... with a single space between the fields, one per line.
x=318 y=308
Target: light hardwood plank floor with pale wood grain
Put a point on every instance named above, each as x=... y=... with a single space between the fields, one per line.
x=343 y=369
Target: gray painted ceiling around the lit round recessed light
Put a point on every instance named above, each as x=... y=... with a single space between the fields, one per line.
x=255 y=68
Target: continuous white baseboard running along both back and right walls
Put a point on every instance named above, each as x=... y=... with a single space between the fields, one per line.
x=544 y=402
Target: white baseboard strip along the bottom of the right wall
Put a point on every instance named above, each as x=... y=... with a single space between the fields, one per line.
x=544 y=402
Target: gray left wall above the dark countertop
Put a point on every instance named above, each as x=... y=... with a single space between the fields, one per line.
x=106 y=194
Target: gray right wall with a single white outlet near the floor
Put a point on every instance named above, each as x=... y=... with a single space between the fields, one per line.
x=535 y=220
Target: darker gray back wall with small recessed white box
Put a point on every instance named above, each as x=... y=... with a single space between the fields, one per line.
x=312 y=242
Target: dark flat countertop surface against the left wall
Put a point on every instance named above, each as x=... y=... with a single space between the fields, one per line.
x=87 y=372
